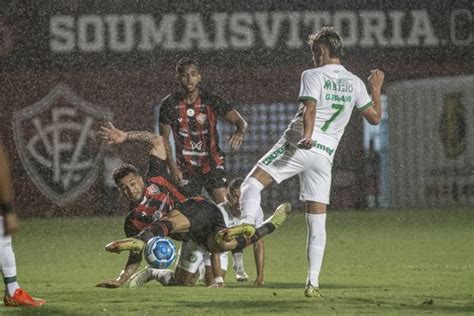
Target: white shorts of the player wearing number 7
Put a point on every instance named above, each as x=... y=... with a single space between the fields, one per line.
x=284 y=161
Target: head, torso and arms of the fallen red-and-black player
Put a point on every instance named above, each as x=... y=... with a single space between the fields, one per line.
x=151 y=198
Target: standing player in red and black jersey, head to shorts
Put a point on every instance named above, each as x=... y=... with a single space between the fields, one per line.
x=191 y=115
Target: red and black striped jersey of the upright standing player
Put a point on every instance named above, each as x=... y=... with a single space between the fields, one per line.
x=194 y=129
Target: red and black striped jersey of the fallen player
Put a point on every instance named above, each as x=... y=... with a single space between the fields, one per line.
x=160 y=197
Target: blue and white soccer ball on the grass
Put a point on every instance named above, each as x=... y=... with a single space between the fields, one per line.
x=160 y=252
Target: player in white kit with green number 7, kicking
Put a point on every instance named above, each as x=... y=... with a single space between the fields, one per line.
x=328 y=93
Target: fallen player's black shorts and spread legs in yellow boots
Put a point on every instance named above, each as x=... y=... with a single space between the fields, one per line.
x=203 y=222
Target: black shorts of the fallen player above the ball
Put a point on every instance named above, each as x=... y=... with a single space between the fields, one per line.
x=205 y=217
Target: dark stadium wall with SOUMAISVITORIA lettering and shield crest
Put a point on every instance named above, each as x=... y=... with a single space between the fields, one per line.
x=66 y=67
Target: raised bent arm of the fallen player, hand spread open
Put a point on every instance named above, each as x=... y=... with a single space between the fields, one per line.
x=113 y=135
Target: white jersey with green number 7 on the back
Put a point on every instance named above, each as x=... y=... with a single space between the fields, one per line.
x=336 y=91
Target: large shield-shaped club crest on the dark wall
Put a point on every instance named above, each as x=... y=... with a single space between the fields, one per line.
x=57 y=144
